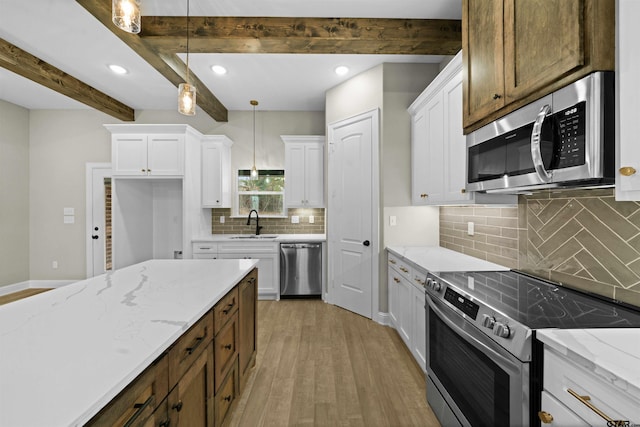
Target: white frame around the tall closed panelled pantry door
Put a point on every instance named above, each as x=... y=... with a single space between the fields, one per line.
x=374 y=115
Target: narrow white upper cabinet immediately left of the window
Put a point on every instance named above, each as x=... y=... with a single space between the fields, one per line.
x=216 y=171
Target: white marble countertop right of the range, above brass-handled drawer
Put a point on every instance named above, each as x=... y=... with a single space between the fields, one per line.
x=611 y=354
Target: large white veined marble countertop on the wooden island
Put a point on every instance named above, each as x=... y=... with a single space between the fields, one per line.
x=65 y=353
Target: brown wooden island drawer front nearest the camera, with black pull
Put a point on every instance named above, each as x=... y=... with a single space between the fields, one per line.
x=136 y=403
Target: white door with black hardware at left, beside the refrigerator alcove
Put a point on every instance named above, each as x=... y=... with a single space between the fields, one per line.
x=96 y=217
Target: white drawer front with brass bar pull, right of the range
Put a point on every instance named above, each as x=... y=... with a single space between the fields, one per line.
x=561 y=374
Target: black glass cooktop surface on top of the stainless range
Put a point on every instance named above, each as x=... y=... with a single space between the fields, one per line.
x=540 y=304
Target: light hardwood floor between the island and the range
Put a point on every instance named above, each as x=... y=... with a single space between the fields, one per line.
x=320 y=365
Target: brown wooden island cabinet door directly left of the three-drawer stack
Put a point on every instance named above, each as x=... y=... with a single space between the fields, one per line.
x=191 y=400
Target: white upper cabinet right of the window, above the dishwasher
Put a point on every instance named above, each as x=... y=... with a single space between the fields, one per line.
x=304 y=170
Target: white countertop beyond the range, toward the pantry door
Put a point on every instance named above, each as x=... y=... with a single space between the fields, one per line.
x=436 y=258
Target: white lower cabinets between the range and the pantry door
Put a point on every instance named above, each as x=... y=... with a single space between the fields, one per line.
x=406 y=306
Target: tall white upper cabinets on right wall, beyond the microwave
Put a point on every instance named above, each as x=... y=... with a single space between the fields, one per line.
x=438 y=145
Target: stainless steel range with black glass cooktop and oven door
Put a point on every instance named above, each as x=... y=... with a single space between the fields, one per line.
x=484 y=366
